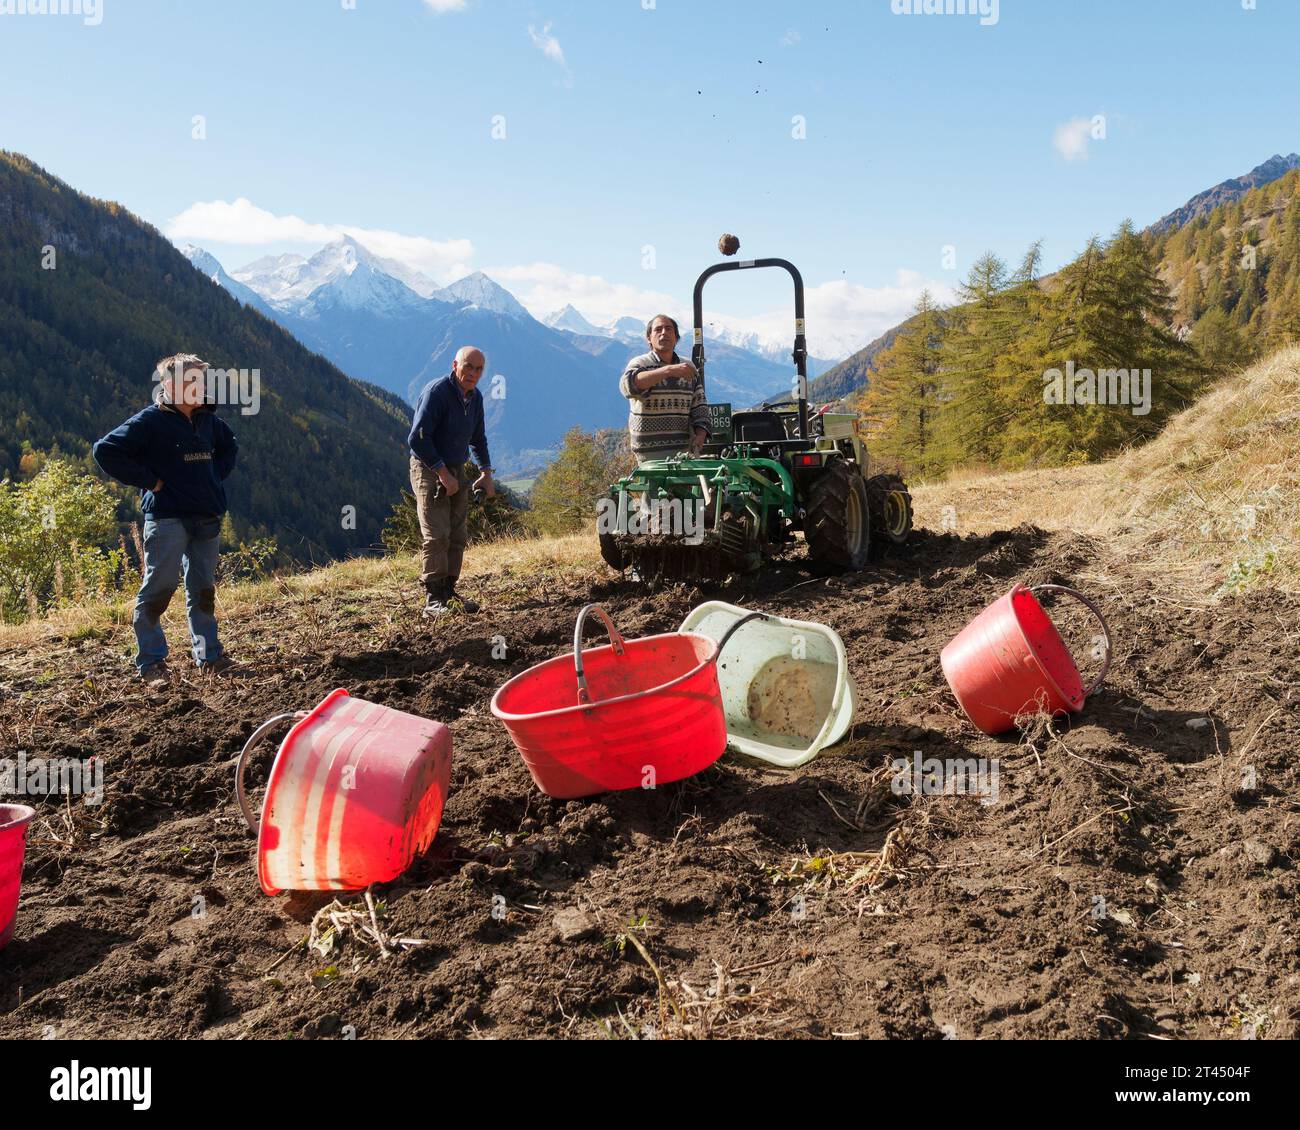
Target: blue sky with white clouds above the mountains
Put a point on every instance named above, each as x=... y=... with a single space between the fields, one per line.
x=627 y=128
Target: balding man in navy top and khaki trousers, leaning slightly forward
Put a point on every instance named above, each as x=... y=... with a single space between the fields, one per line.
x=449 y=421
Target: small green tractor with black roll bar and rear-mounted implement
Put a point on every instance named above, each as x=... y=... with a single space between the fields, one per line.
x=765 y=475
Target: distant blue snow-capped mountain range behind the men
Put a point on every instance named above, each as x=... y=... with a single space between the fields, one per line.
x=384 y=323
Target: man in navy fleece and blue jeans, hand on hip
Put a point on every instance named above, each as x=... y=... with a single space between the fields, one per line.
x=179 y=453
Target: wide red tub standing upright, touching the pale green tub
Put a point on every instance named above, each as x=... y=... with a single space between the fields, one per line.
x=642 y=713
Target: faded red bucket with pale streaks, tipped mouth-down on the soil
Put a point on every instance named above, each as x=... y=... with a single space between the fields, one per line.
x=356 y=794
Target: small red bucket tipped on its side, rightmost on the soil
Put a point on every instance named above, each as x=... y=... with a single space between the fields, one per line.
x=1011 y=661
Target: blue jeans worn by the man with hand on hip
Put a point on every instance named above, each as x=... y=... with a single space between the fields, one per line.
x=170 y=551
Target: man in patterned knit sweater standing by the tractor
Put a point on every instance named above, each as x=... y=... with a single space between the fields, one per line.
x=668 y=410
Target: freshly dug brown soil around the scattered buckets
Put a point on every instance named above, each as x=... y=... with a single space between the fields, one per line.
x=1129 y=882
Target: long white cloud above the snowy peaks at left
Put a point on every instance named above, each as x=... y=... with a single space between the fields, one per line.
x=246 y=226
